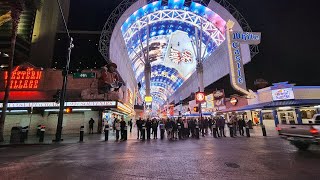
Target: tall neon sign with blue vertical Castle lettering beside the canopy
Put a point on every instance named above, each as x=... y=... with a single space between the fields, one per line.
x=237 y=76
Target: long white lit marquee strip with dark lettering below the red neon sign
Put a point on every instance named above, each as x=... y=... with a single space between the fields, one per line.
x=53 y=104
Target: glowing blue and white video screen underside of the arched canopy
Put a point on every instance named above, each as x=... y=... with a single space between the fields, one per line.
x=172 y=50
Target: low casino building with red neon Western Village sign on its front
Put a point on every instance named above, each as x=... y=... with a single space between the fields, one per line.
x=33 y=100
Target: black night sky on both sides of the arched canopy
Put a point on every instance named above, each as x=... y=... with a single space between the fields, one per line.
x=288 y=51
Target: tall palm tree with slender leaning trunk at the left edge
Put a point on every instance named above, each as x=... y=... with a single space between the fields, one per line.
x=16 y=6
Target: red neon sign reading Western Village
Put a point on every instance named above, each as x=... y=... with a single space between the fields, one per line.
x=26 y=79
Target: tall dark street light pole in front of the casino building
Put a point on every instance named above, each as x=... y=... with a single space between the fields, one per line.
x=65 y=73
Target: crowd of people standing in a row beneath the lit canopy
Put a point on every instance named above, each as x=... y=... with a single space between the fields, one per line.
x=180 y=128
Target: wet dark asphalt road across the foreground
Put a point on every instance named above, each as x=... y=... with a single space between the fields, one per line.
x=207 y=158
